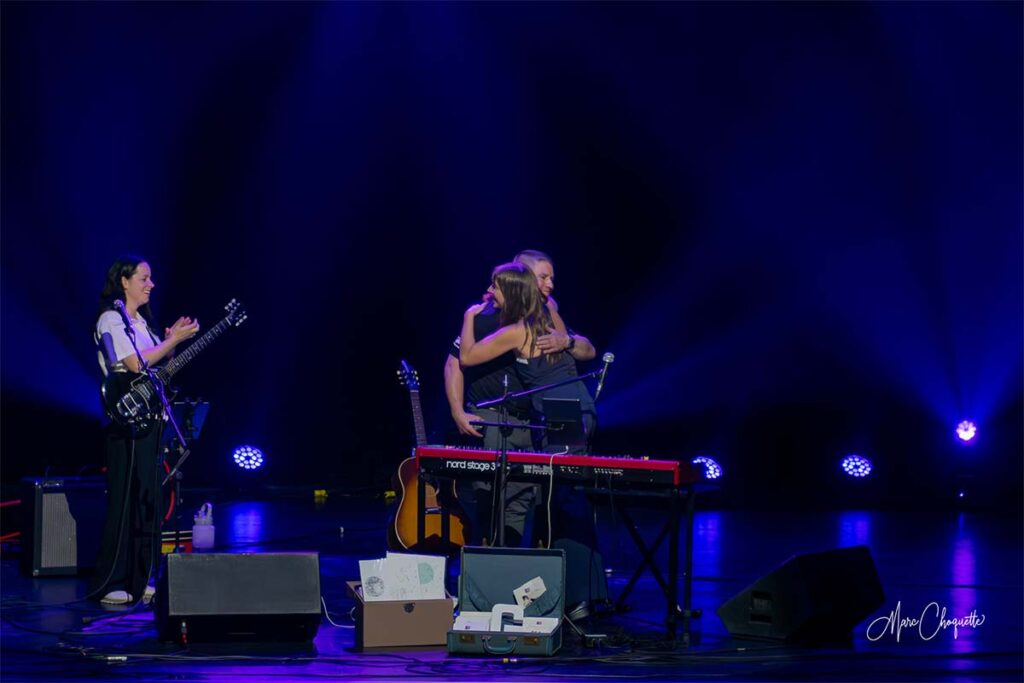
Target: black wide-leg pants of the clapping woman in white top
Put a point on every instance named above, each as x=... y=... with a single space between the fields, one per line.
x=131 y=544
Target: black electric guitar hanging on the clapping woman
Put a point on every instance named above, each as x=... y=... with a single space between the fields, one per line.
x=132 y=401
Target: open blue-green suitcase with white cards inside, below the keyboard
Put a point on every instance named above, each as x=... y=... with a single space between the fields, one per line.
x=488 y=578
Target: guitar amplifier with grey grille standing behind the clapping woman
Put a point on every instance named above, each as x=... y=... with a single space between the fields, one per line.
x=62 y=524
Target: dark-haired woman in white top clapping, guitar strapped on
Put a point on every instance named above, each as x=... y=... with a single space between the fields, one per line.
x=131 y=544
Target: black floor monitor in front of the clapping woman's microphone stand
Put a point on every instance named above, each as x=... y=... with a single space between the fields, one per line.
x=219 y=597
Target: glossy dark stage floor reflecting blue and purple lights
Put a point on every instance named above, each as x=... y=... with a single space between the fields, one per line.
x=965 y=563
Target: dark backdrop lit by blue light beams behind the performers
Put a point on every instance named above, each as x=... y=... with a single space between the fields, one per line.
x=797 y=226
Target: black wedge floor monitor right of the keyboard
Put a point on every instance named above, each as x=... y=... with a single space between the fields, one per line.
x=815 y=599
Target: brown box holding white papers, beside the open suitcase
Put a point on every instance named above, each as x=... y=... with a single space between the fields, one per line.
x=401 y=624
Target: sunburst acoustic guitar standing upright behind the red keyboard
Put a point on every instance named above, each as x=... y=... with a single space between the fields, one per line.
x=403 y=532
